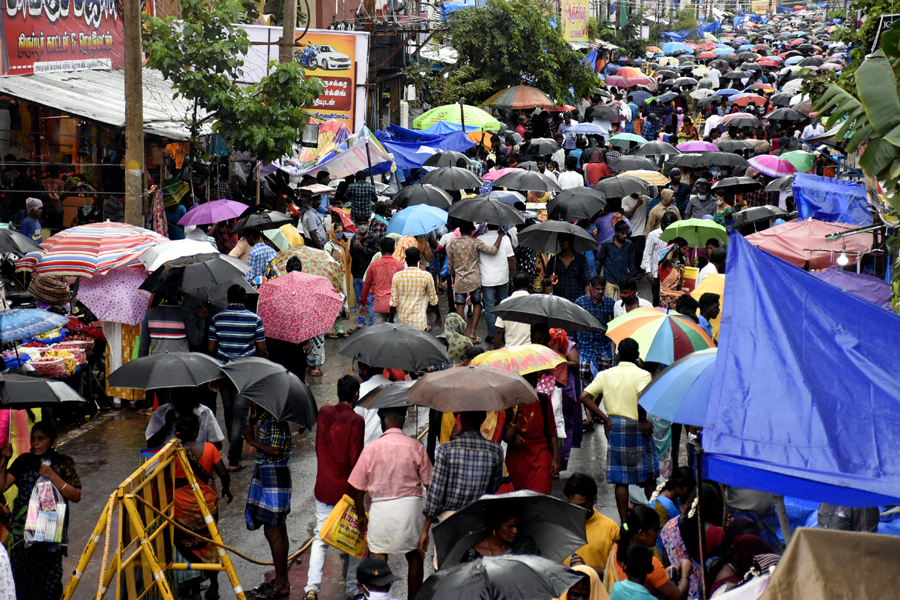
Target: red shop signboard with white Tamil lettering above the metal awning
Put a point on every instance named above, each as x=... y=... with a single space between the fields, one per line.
x=46 y=36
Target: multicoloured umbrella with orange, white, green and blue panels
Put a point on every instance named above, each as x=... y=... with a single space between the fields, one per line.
x=662 y=337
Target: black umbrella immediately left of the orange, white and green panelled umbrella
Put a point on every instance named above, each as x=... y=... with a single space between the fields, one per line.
x=555 y=311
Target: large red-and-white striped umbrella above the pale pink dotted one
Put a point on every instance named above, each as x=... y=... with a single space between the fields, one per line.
x=89 y=250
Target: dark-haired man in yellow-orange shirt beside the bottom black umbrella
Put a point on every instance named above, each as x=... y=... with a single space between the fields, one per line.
x=602 y=532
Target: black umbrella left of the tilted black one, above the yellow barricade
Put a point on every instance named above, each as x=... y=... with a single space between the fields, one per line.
x=166 y=370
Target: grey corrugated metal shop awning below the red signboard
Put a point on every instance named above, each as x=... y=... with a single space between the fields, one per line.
x=100 y=96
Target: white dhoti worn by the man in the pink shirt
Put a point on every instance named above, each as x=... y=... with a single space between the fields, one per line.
x=395 y=525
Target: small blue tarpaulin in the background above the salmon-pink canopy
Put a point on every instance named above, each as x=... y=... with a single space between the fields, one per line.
x=831 y=200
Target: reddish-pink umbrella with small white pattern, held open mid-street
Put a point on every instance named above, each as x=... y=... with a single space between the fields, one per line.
x=296 y=307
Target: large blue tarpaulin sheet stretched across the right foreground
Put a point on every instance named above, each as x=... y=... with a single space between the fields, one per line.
x=806 y=398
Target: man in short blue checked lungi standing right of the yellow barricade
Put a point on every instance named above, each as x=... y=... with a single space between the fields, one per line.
x=269 y=500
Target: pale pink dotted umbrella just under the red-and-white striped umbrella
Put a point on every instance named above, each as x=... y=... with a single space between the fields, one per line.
x=115 y=297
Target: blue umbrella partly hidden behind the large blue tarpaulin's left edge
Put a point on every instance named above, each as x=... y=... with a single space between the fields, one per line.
x=681 y=392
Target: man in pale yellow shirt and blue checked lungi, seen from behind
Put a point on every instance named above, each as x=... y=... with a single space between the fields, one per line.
x=630 y=451
